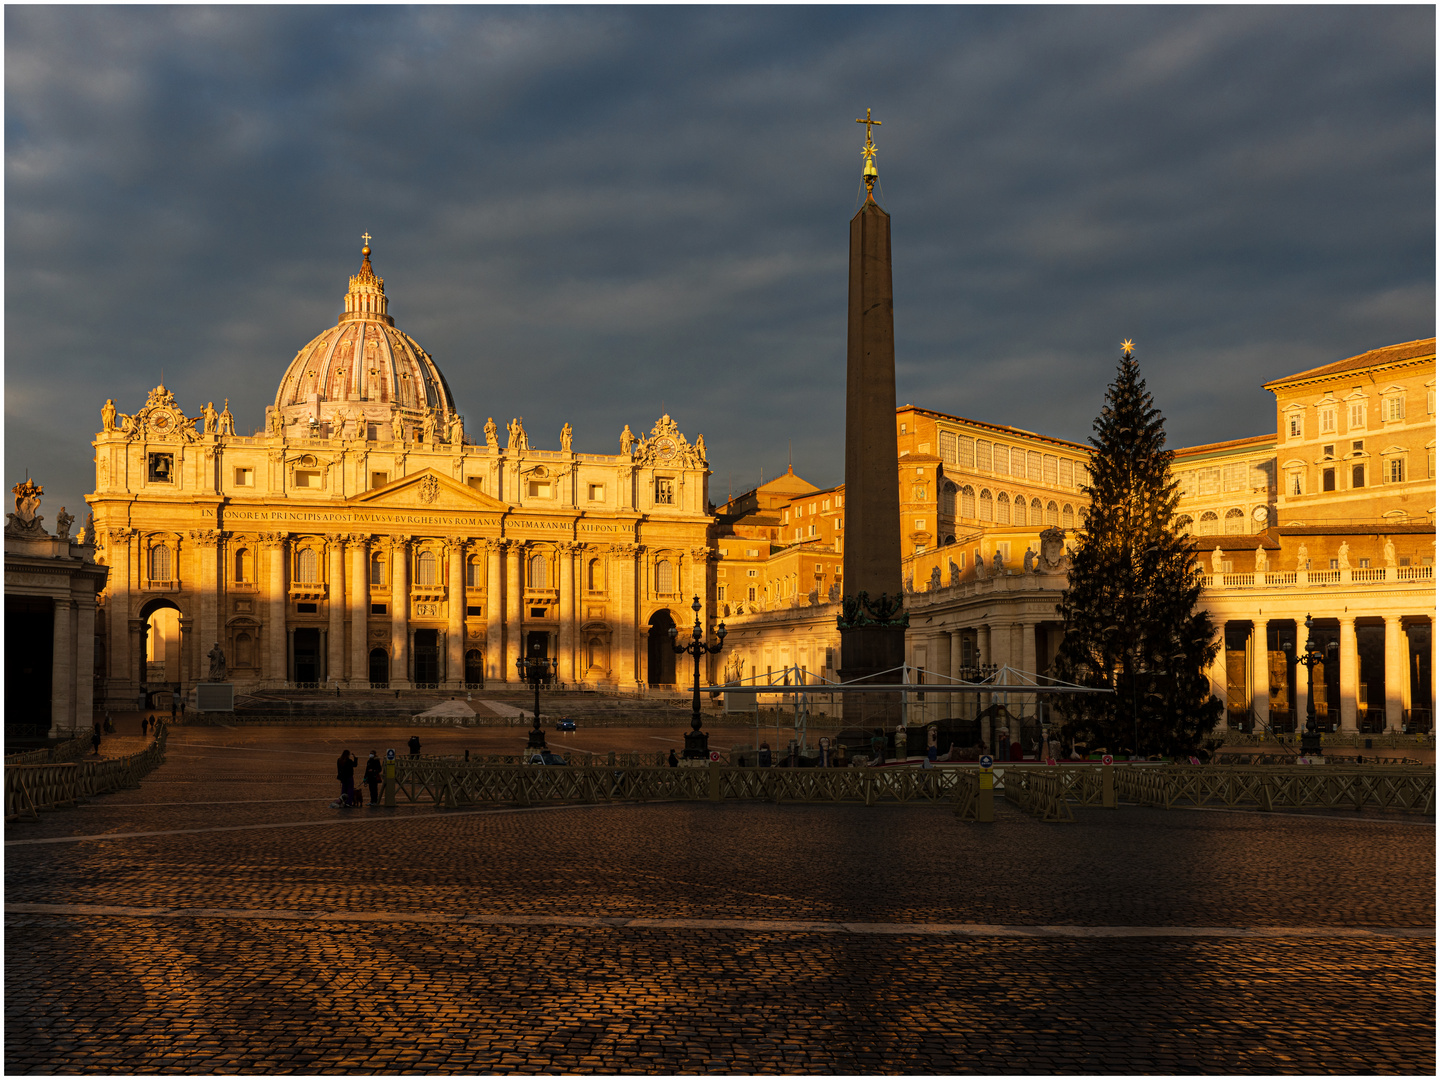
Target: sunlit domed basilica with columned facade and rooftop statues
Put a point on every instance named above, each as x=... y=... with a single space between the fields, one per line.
x=365 y=538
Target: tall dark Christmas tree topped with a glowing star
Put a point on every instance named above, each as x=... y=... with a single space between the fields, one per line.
x=1131 y=613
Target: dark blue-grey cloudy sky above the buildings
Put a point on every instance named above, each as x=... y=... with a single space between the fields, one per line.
x=595 y=215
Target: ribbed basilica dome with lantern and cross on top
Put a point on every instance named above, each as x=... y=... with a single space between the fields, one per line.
x=362 y=371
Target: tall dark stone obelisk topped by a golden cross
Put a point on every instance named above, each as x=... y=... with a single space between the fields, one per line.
x=872 y=621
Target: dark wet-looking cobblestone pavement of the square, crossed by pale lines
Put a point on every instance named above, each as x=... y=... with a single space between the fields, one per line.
x=224 y=919
